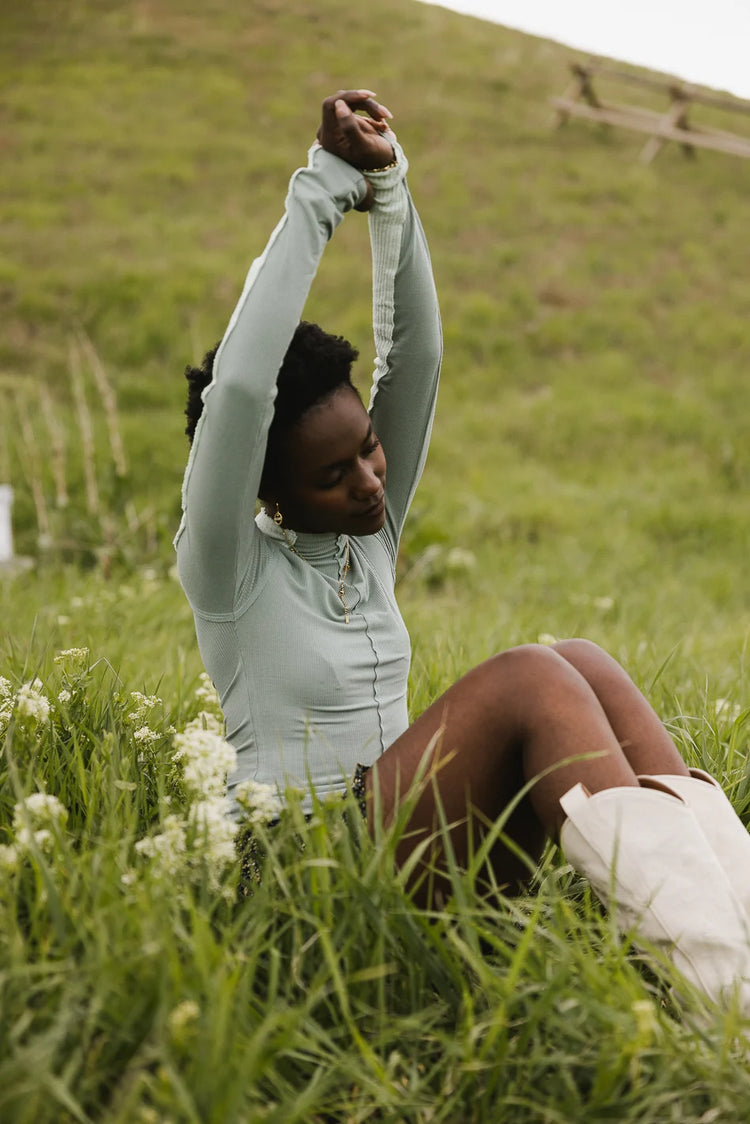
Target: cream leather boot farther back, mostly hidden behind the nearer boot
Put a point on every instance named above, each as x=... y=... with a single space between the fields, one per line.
x=720 y=824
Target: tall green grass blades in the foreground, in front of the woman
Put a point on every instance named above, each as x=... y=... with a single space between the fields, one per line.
x=137 y=991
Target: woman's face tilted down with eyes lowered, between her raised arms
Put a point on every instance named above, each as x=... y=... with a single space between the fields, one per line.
x=336 y=478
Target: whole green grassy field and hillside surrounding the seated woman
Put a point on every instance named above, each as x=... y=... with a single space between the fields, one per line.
x=589 y=476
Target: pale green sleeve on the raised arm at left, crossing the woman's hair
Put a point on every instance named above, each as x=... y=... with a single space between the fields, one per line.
x=224 y=470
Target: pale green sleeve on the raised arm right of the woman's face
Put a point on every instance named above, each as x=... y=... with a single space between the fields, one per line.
x=409 y=341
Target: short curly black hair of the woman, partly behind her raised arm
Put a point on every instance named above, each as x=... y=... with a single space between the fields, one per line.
x=315 y=367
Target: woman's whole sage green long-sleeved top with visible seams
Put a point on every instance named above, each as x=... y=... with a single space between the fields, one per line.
x=306 y=696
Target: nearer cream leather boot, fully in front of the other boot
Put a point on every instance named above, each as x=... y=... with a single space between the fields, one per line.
x=645 y=855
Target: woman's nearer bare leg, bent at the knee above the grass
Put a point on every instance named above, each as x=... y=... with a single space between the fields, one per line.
x=510 y=720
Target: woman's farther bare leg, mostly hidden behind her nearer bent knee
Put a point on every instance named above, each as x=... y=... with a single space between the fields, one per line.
x=637 y=727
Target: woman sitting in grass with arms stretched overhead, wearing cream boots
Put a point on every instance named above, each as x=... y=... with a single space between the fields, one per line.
x=301 y=633
